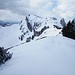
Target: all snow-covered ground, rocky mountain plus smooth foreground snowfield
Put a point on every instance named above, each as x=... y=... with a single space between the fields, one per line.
x=52 y=55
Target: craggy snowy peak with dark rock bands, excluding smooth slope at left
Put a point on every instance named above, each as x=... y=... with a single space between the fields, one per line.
x=33 y=26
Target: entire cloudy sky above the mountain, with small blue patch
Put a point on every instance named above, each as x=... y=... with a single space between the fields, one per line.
x=17 y=9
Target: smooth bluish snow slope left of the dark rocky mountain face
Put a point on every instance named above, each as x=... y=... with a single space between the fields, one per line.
x=9 y=35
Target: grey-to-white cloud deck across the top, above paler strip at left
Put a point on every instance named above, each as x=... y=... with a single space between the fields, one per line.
x=23 y=7
